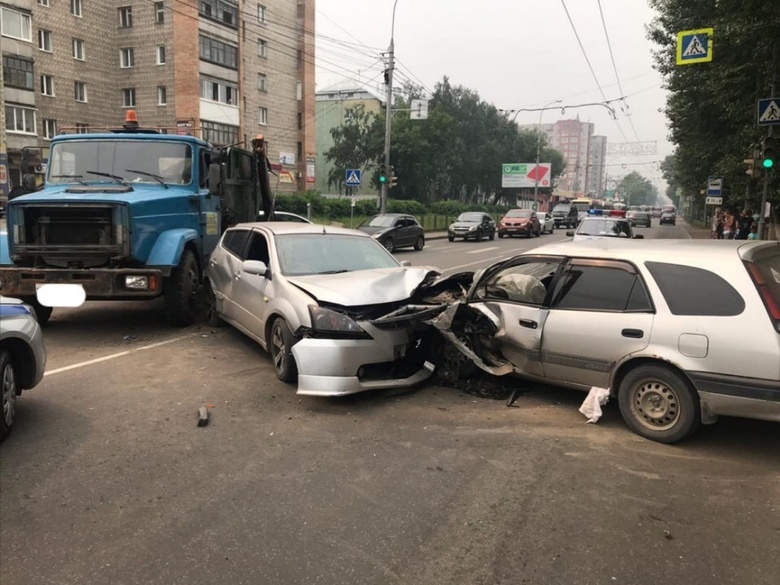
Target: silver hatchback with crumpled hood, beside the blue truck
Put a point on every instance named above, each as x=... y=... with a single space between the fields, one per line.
x=314 y=297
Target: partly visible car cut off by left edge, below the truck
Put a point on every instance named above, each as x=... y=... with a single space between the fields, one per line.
x=22 y=356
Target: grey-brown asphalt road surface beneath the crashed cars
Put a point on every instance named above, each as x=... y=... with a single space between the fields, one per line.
x=107 y=478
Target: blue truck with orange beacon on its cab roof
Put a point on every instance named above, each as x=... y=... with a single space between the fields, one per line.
x=129 y=214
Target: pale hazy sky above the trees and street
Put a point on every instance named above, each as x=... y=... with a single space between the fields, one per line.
x=515 y=53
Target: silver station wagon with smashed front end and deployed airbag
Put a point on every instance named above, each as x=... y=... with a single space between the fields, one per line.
x=680 y=332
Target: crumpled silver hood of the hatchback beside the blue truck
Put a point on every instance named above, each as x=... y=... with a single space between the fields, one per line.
x=364 y=287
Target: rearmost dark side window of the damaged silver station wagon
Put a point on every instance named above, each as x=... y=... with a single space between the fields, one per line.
x=689 y=290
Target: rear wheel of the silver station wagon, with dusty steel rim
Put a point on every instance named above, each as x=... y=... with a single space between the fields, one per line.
x=659 y=404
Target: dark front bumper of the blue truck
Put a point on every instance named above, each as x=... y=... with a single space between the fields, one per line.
x=98 y=283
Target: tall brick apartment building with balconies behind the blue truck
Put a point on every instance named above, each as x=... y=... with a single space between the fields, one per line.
x=225 y=70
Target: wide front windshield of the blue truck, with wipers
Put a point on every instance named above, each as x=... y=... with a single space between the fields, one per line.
x=171 y=162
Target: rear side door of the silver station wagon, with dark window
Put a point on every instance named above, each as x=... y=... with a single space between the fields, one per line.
x=600 y=312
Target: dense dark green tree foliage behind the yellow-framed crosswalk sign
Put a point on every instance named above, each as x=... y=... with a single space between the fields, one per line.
x=712 y=106
